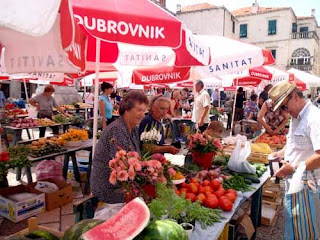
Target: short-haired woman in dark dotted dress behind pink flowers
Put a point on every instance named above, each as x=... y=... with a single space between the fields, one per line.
x=122 y=133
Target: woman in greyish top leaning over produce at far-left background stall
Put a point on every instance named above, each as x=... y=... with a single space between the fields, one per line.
x=44 y=102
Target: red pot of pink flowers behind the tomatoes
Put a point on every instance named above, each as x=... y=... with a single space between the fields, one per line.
x=203 y=148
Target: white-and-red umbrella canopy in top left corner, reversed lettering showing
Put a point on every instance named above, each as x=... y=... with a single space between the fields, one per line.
x=40 y=36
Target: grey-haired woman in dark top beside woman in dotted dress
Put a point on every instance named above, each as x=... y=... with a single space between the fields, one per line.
x=159 y=107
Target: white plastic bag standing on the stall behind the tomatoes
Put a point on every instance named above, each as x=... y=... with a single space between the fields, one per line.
x=238 y=159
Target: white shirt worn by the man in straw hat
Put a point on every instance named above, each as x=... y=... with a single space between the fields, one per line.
x=303 y=138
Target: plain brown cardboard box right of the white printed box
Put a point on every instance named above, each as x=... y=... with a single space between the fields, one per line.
x=58 y=198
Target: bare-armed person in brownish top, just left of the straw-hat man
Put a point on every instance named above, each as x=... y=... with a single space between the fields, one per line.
x=273 y=121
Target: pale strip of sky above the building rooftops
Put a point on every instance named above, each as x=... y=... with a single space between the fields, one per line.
x=300 y=7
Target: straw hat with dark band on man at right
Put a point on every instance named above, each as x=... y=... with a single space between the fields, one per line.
x=279 y=92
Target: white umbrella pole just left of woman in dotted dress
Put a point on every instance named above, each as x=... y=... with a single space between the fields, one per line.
x=96 y=93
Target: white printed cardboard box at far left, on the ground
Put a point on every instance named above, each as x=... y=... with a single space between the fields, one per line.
x=17 y=211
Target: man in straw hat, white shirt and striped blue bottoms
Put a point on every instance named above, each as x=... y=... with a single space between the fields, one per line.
x=301 y=164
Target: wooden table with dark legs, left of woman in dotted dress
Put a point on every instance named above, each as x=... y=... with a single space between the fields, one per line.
x=69 y=152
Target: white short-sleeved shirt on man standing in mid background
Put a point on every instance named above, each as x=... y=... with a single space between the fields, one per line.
x=201 y=101
